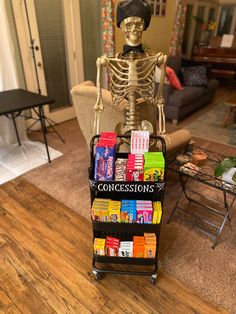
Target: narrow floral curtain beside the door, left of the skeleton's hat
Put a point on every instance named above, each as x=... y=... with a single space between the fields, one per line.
x=108 y=18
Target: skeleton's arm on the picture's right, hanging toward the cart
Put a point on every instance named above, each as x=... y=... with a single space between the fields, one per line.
x=159 y=100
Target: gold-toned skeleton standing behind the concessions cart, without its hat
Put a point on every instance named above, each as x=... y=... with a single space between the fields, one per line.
x=132 y=78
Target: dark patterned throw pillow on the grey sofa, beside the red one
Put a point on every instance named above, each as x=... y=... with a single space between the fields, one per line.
x=194 y=76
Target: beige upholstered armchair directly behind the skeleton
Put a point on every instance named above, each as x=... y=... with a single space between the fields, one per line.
x=84 y=97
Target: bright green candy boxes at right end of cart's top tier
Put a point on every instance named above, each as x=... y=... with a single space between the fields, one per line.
x=154 y=167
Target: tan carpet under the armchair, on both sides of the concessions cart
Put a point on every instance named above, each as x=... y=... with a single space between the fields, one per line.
x=184 y=253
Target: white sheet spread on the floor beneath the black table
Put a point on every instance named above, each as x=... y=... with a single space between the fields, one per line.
x=18 y=159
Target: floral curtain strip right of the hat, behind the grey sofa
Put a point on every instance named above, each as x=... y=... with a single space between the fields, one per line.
x=178 y=29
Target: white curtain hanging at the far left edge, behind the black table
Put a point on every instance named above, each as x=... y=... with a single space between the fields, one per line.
x=8 y=79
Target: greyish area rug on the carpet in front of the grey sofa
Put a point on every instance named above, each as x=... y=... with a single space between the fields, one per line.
x=208 y=126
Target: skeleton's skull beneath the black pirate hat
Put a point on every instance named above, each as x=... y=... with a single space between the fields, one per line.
x=133 y=28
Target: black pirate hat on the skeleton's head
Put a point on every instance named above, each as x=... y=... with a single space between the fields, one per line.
x=129 y=8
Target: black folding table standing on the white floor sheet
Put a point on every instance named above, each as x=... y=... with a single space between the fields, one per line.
x=12 y=102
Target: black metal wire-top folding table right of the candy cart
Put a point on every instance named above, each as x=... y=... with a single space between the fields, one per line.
x=205 y=176
